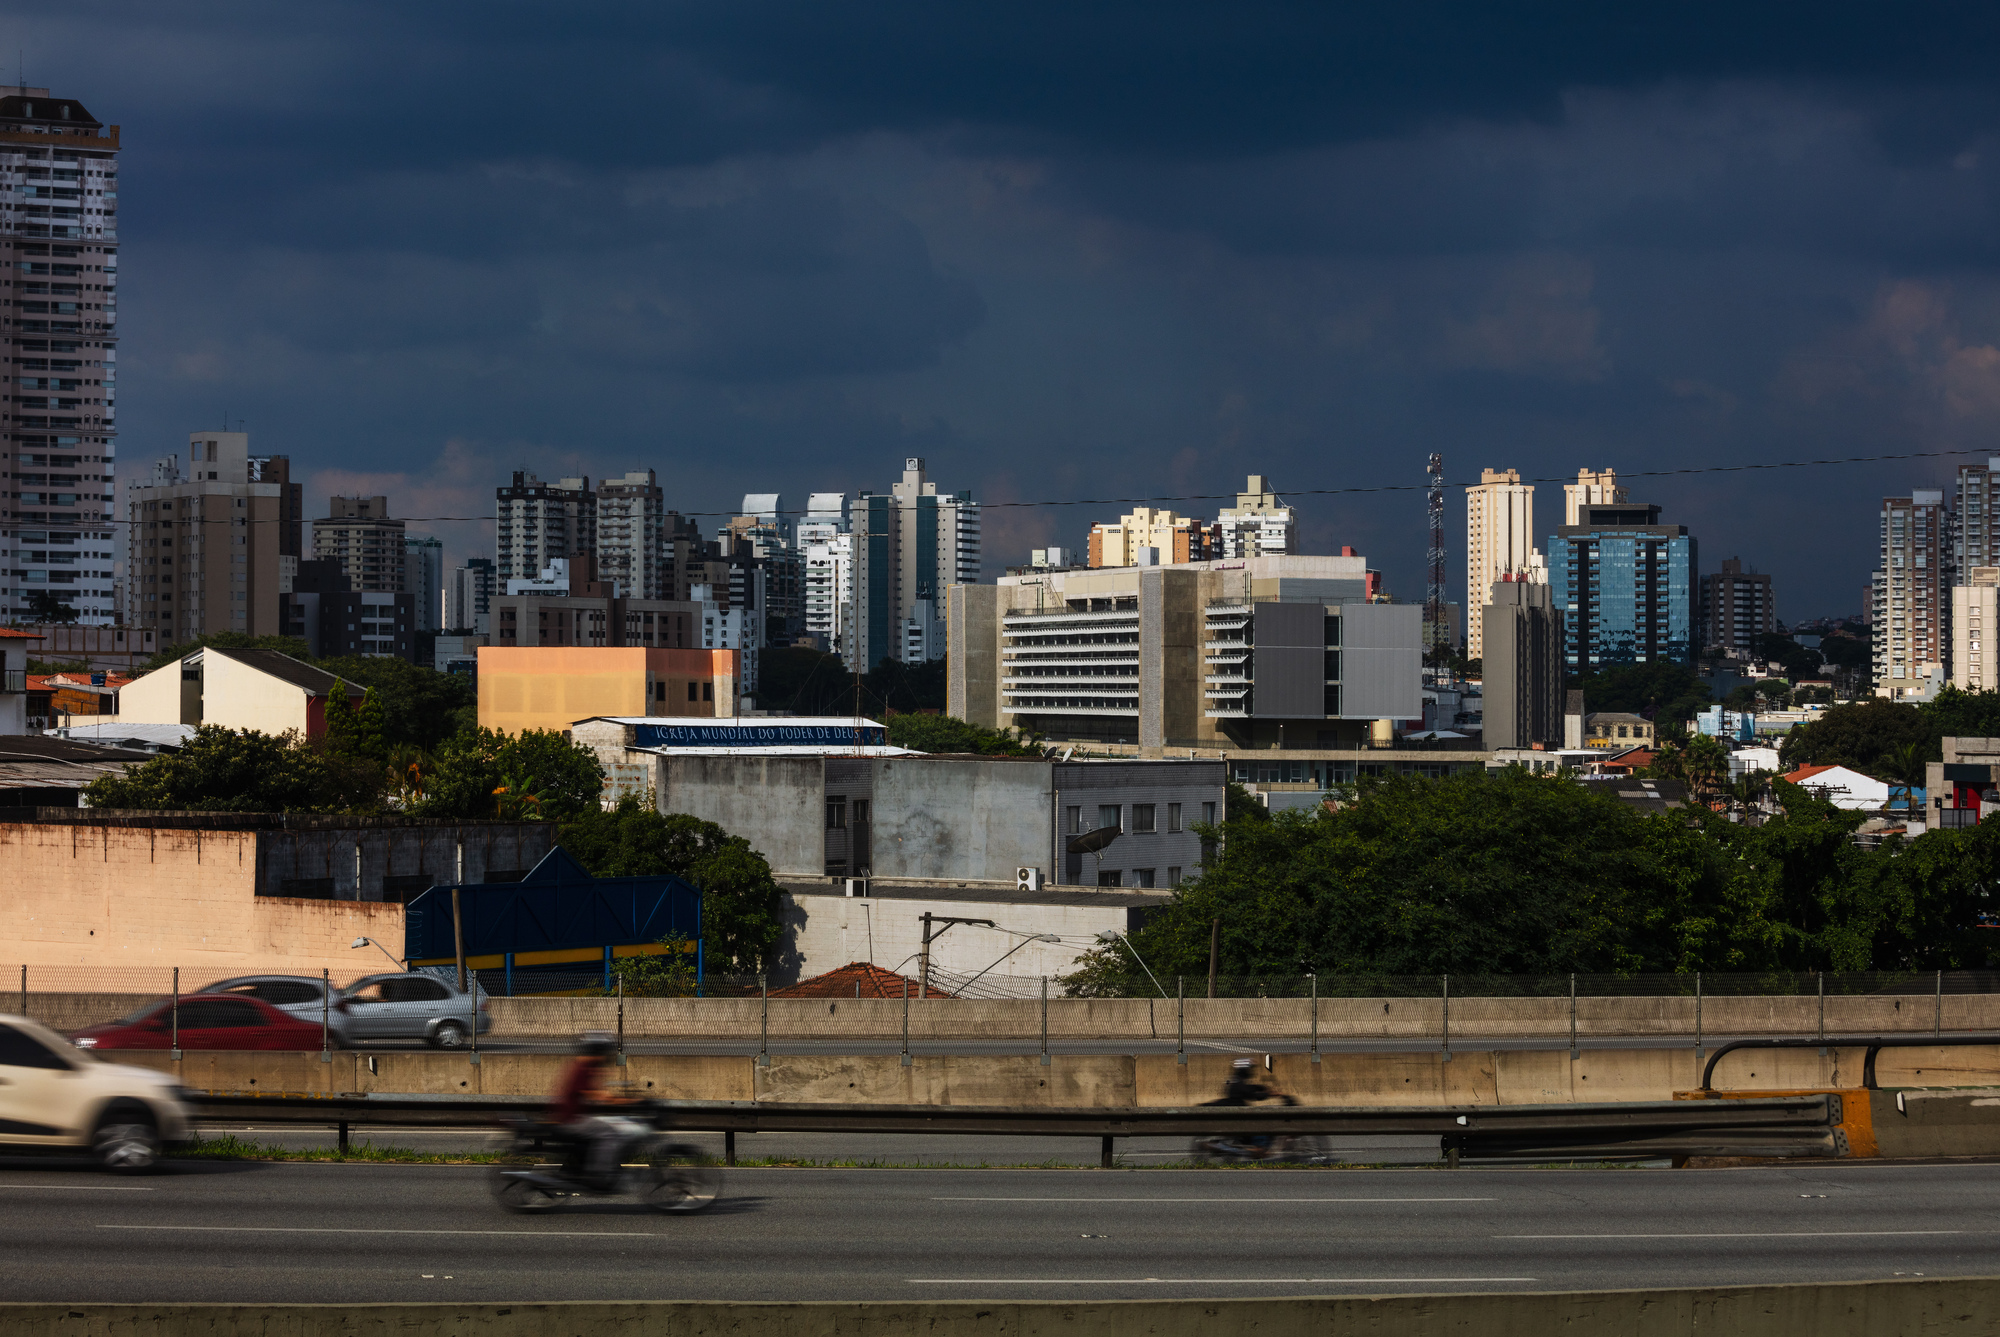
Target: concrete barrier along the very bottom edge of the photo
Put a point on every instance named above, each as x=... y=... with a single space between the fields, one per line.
x=1967 y=1306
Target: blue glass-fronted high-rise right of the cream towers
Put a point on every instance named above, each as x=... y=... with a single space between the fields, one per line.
x=1625 y=585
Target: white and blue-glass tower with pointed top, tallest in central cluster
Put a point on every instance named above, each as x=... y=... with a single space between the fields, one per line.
x=911 y=545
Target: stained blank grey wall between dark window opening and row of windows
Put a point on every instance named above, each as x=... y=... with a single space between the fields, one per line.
x=947 y=818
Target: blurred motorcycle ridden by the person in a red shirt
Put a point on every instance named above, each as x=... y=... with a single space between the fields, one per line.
x=541 y=1168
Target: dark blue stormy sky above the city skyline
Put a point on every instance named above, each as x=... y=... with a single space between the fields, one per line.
x=1067 y=251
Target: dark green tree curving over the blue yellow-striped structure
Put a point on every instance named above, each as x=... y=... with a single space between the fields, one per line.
x=743 y=906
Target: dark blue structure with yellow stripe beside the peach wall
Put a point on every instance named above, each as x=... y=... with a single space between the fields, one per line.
x=557 y=928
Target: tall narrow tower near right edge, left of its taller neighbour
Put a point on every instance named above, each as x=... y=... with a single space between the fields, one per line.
x=1913 y=593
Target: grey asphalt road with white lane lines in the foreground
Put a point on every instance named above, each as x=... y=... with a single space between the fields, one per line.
x=343 y=1234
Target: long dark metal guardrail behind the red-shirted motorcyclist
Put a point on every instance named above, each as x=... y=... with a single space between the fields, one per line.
x=1639 y=1130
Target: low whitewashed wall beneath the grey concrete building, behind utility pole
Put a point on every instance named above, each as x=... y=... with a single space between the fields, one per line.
x=831 y=932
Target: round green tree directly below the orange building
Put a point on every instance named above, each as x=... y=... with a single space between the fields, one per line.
x=487 y=774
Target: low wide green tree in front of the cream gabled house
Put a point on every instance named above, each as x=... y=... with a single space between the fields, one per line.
x=243 y=772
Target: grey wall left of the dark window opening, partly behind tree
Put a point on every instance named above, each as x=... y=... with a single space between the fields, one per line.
x=775 y=802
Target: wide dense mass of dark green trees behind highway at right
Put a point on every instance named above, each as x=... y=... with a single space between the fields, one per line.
x=1541 y=876
